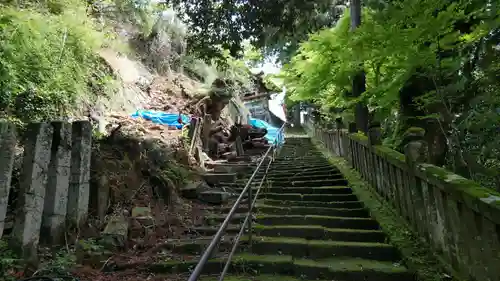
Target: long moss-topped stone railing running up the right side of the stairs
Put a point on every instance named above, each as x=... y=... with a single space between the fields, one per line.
x=456 y=216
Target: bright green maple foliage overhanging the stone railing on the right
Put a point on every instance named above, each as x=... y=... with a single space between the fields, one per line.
x=452 y=46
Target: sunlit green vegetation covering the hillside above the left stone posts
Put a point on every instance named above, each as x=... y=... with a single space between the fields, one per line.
x=50 y=54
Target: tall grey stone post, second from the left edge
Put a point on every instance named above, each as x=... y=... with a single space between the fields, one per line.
x=29 y=210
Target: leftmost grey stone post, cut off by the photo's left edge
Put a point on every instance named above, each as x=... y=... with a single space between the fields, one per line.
x=7 y=153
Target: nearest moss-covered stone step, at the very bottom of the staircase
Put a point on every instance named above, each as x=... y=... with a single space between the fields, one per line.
x=338 y=269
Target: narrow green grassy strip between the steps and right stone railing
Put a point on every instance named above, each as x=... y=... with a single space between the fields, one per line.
x=416 y=253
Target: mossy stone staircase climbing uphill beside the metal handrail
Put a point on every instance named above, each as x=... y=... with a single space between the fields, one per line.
x=308 y=226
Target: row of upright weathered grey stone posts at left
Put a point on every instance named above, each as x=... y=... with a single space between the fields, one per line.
x=53 y=188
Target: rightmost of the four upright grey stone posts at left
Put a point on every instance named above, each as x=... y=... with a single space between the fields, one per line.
x=79 y=185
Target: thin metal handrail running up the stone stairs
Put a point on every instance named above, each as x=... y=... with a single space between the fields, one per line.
x=218 y=235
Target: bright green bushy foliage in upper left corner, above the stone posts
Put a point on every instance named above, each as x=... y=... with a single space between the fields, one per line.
x=48 y=60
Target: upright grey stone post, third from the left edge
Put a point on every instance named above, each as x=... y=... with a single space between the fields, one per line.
x=56 y=193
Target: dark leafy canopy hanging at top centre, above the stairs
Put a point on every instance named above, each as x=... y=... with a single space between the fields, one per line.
x=274 y=25
